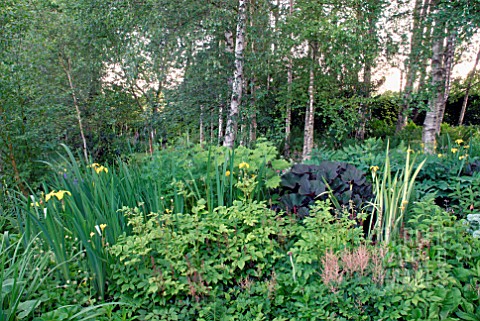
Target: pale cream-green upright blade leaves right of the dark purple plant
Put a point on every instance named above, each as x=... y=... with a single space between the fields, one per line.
x=392 y=197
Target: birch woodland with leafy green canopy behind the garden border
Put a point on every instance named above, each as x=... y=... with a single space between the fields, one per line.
x=114 y=77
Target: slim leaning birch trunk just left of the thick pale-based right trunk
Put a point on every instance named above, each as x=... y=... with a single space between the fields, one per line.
x=411 y=66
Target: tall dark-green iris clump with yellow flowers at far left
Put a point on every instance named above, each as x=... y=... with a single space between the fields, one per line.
x=78 y=210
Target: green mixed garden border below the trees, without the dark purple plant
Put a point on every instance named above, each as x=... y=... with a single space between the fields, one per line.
x=119 y=243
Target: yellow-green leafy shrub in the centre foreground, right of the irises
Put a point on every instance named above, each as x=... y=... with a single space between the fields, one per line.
x=176 y=260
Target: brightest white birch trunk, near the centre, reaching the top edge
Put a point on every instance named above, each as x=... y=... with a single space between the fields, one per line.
x=232 y=122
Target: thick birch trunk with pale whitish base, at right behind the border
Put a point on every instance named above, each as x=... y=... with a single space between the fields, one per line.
x=438 y=91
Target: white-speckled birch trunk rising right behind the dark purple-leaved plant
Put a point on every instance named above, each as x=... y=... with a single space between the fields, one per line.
x=310 y=114
